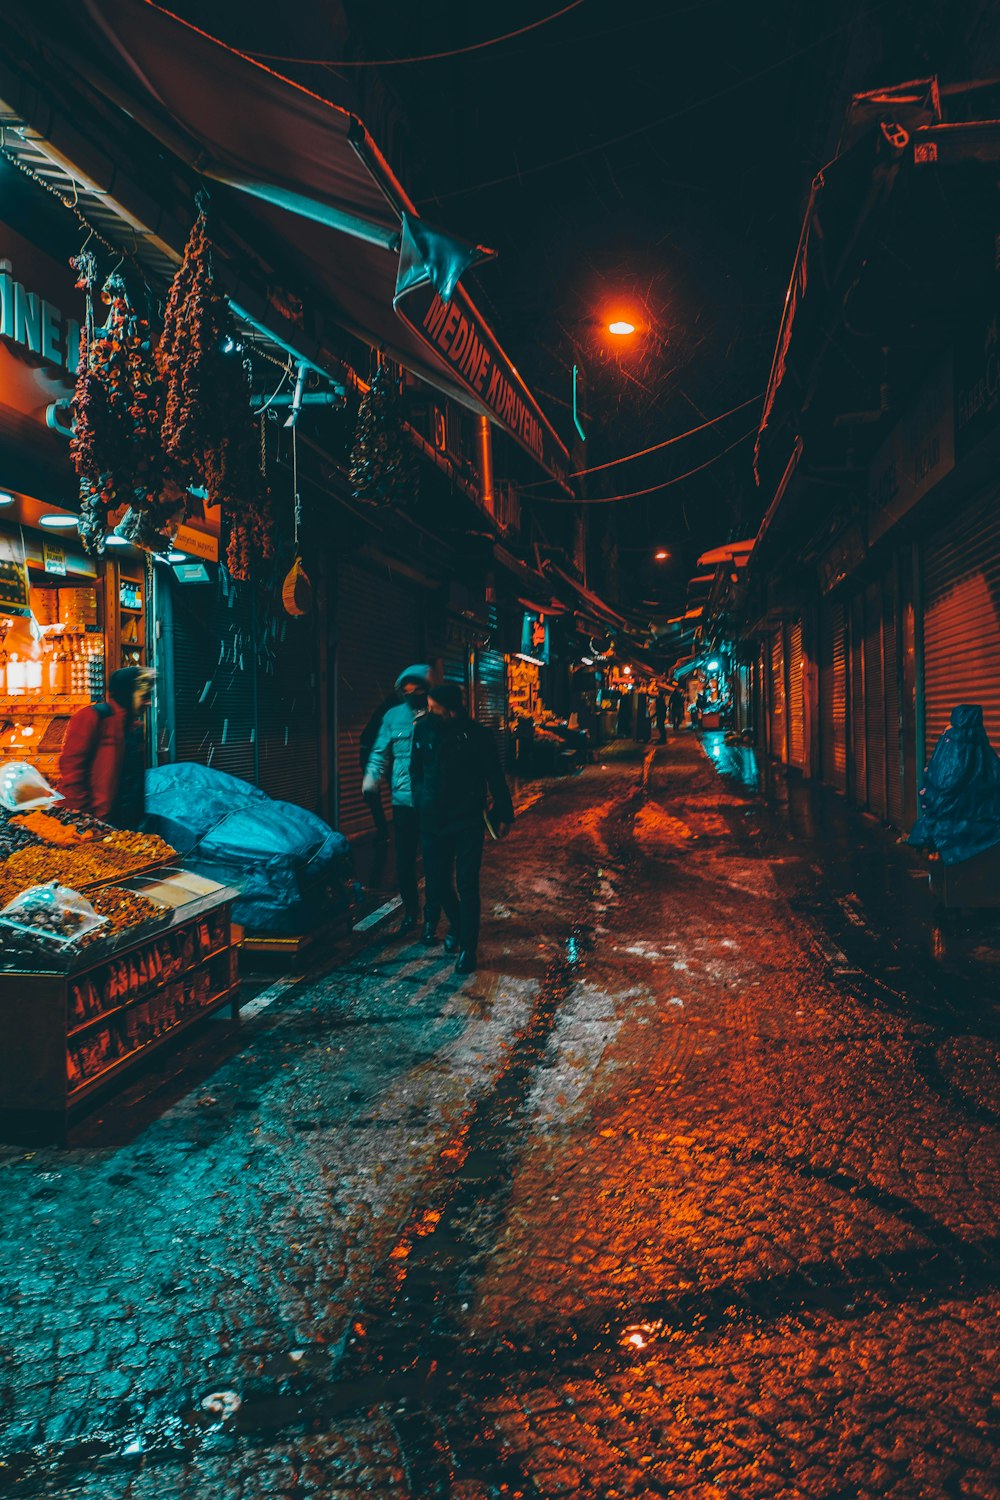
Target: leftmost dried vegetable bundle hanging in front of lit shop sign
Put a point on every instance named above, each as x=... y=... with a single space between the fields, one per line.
x=116 y=446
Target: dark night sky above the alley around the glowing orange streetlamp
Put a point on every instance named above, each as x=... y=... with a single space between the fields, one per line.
x=647 y=158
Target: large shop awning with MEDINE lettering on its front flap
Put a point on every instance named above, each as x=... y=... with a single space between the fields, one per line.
x=313 y=175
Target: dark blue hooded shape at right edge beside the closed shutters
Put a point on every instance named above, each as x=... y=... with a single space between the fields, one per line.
x=960 y=799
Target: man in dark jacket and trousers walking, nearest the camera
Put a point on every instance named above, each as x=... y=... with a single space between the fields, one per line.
x=455 y=767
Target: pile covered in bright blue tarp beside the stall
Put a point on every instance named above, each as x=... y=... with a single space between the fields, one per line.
x=290 y=868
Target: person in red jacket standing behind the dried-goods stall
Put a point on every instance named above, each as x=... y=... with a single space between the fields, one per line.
x=103 y=763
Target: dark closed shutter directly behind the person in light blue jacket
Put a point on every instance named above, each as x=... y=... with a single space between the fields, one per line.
x=380 y=634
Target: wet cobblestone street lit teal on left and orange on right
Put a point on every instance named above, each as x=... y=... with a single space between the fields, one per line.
x=680 y=1196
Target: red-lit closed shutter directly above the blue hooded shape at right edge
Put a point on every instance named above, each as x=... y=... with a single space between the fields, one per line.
x=962 y=620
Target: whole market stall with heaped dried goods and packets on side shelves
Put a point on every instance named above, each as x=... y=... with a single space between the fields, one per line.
x=109 y=950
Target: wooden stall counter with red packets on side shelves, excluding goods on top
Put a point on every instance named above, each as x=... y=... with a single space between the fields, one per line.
x=80 y=1021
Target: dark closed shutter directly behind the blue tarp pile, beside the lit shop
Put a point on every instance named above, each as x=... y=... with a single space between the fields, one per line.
x=215 y=721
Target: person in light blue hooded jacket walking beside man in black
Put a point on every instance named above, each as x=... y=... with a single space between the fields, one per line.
x=392 y=755
